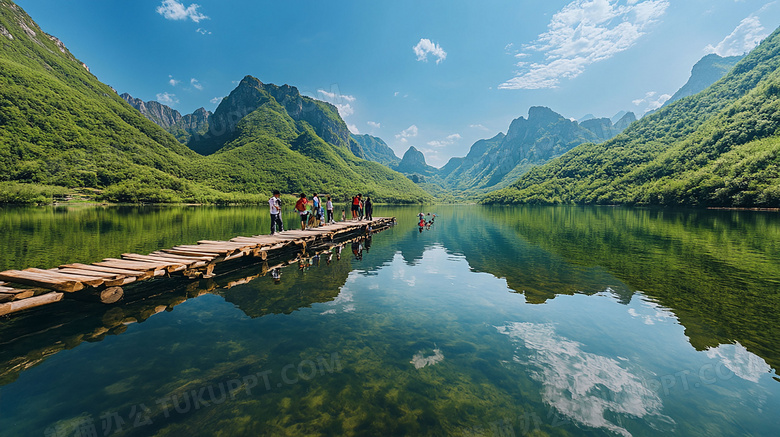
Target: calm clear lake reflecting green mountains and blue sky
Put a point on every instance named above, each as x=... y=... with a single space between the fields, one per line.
x=495 y=321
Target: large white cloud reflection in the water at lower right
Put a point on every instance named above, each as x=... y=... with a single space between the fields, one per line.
x=582 y=386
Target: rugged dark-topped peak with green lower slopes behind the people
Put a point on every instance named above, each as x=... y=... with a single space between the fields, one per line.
x=293 y=142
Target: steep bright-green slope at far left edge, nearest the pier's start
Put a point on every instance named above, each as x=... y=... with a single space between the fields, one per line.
x=59 y=125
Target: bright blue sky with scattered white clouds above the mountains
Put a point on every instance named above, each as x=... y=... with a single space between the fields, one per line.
x=438 y=75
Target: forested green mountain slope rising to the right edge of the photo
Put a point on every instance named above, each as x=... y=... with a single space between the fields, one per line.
x=720 y=147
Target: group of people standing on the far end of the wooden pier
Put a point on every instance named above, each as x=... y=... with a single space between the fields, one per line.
x=312 y=211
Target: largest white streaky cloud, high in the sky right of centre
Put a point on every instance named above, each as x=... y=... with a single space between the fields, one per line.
x=584 y=32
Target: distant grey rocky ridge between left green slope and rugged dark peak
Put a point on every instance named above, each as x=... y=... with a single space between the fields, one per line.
x=182 y=127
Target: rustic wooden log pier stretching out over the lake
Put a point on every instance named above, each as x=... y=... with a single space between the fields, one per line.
x=103 y=281
